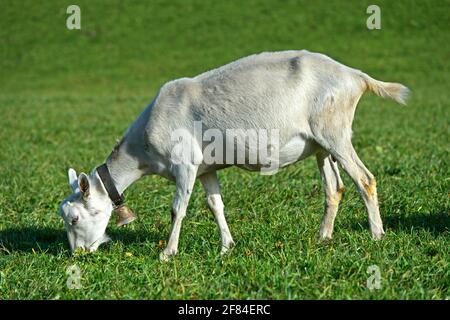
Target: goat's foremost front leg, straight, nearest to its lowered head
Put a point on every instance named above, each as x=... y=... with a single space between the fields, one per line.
x=185 y=175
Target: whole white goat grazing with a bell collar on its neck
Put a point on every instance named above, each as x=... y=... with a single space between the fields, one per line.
x=307 y=97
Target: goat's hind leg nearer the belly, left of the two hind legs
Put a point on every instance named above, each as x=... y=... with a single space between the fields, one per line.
x=333 y=188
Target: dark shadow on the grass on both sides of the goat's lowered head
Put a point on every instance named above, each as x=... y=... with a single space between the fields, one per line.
x=54 y=241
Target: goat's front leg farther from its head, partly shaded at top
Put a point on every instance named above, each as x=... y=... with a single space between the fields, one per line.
x=214 y=199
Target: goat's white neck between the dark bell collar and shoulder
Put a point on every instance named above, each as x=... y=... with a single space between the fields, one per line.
x=124 y=169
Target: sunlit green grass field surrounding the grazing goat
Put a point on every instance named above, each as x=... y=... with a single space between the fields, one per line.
x=67 y=95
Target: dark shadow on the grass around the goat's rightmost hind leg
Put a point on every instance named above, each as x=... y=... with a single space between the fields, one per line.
x=436 y=223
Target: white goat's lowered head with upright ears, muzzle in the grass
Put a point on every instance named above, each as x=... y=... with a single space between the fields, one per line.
x=86 y=212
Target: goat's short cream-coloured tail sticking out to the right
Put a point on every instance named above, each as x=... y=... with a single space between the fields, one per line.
x=395 y=91
